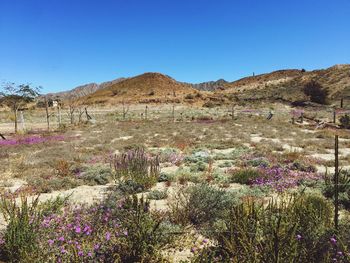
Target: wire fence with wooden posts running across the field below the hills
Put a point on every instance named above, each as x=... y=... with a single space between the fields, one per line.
x=38 y=120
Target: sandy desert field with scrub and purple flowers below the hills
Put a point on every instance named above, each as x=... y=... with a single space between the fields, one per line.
x=184 y=170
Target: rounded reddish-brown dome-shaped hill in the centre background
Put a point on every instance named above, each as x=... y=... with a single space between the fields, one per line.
x=145 y=88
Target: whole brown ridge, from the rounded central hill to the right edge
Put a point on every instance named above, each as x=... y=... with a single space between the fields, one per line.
x=283 y=85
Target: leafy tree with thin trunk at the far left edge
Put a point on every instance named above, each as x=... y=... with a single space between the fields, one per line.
x=17 y=96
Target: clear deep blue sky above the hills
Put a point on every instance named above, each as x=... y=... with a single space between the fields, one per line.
x=60 y=44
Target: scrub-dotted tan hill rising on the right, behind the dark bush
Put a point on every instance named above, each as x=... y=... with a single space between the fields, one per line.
x=287 y=85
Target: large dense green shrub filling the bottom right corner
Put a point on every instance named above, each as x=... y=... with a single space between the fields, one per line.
x=291 y=229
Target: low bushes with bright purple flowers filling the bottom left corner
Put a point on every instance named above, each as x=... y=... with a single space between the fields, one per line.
x=118 y=230
